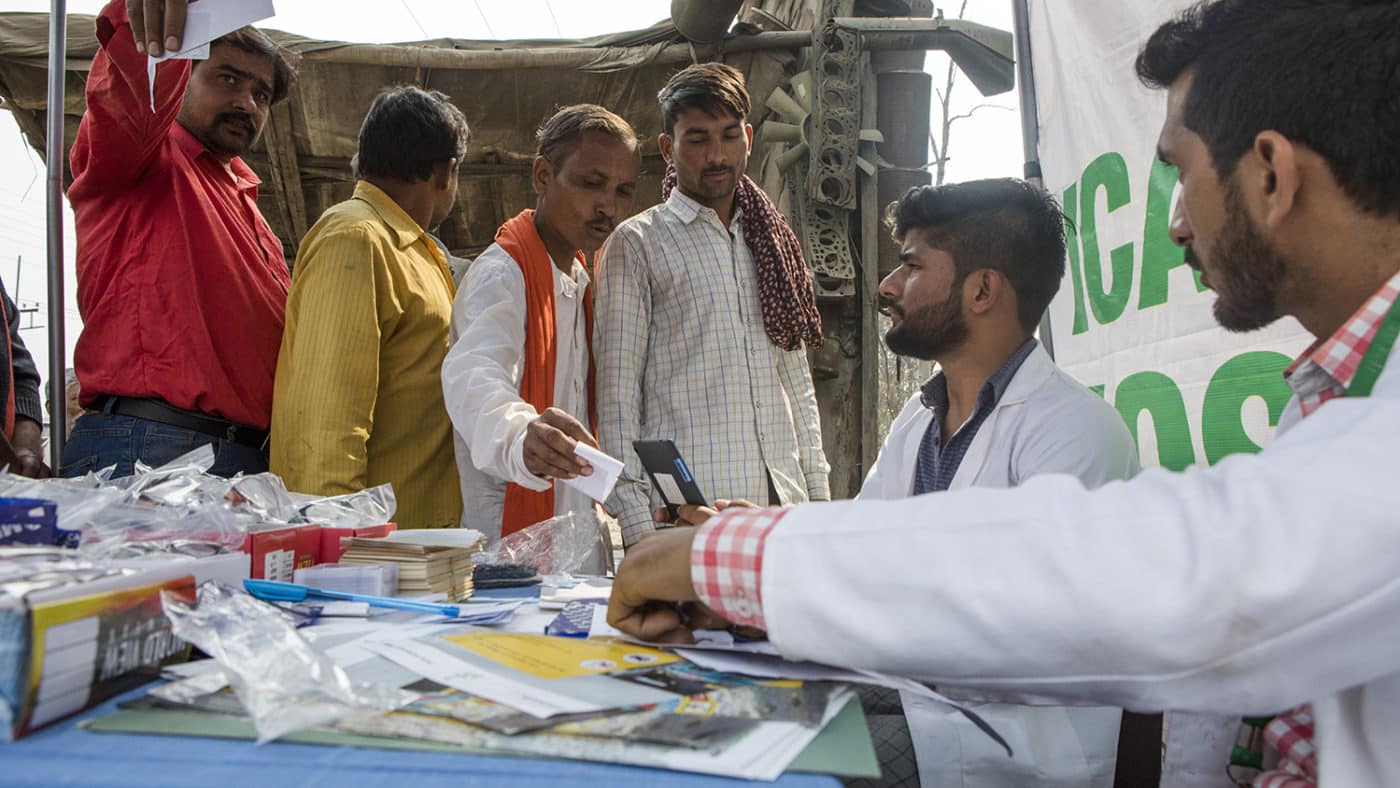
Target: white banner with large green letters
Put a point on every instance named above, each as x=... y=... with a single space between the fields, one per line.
x=1132 y=320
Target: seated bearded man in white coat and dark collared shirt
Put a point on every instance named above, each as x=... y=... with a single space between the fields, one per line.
x=979 y=264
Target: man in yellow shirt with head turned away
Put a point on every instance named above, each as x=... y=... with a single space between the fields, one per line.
x=359 y=400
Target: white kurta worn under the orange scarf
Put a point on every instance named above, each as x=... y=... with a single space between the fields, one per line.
x=482 y=381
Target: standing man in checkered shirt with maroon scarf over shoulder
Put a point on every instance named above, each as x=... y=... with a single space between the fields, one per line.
x=703 y=311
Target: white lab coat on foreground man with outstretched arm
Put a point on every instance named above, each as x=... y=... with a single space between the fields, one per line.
x=1247 y=587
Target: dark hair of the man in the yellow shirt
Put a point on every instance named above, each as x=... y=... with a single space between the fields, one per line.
x=409 y=131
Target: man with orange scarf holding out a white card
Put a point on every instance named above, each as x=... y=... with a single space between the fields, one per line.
x=519 y=380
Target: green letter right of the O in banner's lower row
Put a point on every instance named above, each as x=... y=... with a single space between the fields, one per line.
x=1244 y=377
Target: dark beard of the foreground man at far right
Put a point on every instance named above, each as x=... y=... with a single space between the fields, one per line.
x=1247 y=274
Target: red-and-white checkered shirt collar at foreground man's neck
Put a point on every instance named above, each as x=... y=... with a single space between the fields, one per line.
x=1328 y=367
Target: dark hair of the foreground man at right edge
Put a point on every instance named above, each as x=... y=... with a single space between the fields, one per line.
x=1324 y=73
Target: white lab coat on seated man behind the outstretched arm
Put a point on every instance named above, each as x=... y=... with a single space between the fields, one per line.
x=1044 y=423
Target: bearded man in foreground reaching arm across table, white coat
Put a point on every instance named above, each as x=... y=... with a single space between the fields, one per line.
x=1249 y=587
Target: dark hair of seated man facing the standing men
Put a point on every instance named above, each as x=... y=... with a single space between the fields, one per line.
x=1000 y=223
